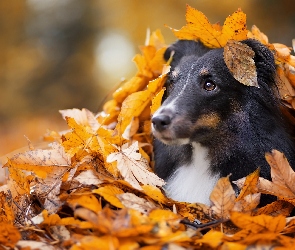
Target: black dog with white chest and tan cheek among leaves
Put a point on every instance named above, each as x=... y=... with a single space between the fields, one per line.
x=210 y=125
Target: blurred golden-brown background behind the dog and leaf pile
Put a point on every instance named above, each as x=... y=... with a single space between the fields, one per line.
x=61 y=54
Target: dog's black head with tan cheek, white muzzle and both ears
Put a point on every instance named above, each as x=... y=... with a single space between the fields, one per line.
x=202 y=95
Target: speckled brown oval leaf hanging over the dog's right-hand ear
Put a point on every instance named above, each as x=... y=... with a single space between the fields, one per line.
x=238 y=57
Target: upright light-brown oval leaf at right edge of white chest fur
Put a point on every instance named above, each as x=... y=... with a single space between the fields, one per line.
x=223 y=198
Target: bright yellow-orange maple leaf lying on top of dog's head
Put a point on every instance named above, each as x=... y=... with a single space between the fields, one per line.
x=199 y=28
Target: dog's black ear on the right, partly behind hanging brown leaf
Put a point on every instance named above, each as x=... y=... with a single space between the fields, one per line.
x=264 y=62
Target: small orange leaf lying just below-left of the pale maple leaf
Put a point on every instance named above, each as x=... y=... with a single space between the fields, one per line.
x=110 y=193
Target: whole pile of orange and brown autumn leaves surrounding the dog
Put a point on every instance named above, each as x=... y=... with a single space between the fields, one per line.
x=93 y=187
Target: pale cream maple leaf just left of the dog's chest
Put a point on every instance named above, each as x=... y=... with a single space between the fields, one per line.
x=134 y=167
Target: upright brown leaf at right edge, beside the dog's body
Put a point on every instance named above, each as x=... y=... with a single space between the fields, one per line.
x=281 y=172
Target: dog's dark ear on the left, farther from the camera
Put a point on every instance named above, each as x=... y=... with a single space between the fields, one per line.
x=183 y=48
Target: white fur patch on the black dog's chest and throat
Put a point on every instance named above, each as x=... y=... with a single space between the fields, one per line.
x=193 y=182
